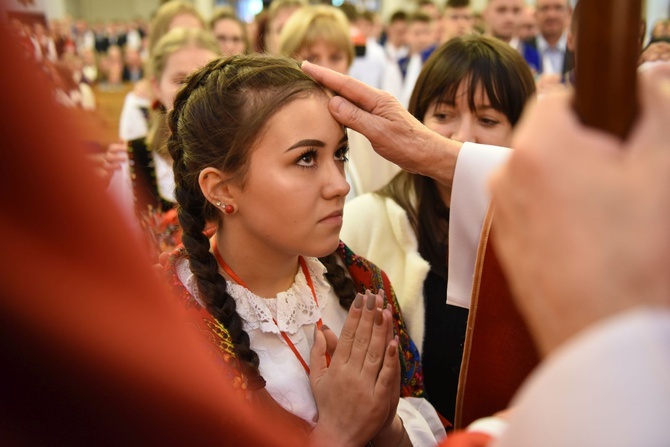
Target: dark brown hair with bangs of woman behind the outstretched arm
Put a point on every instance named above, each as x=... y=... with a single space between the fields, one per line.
x=508 y=82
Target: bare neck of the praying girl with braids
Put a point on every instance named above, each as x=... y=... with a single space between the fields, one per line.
x=264 y=272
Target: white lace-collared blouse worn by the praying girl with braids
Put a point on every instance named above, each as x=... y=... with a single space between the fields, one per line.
x=296 y=314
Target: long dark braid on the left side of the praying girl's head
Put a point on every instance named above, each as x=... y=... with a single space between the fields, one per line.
x=211 y=285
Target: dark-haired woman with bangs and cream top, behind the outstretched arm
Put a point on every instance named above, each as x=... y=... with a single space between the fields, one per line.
x=472 y=89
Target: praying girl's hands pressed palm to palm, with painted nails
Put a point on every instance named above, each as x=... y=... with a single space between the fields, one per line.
x=357 y=394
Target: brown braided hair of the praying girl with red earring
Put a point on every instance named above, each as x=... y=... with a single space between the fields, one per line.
x=217 y=117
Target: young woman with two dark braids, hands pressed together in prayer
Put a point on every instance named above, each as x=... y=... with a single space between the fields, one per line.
x=258 y=155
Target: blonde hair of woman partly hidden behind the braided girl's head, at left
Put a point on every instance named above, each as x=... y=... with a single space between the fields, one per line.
x=175 y=40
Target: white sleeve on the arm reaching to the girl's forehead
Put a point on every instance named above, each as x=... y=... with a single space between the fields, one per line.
x=469 y=202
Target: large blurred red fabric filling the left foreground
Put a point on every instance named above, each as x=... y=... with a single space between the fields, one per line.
x=92 y=351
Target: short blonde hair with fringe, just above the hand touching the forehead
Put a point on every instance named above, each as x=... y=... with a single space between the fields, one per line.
x=311 y=24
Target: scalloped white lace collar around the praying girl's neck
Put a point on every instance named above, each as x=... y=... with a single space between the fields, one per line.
x=293 y=308
